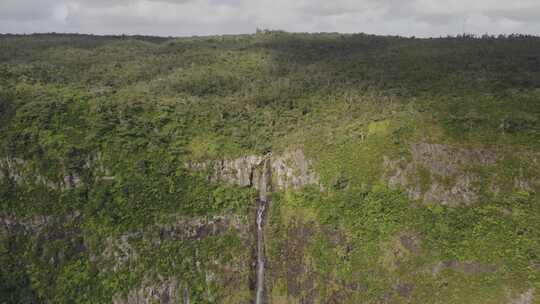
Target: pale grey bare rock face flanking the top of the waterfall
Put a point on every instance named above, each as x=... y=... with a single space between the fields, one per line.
x=290 y=170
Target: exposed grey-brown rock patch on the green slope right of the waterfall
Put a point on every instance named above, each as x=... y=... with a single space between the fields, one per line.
x=444 y=174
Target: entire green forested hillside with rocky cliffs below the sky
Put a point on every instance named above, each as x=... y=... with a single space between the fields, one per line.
x=346 y=168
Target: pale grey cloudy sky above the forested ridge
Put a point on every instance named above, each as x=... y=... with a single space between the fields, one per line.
x=203 y=17
